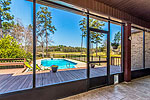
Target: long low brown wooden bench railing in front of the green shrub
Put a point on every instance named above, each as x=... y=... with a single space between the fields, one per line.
x=12 y=61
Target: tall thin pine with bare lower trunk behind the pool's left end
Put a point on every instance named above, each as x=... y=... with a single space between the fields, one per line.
x=44 y=20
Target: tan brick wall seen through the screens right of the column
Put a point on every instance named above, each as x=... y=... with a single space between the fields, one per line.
x=137 y=50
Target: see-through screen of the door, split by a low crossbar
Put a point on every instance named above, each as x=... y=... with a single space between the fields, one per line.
x=98 y=52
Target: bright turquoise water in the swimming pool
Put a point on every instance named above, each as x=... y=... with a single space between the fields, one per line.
x=61 y=63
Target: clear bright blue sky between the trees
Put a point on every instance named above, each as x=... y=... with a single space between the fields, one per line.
x=67 y=23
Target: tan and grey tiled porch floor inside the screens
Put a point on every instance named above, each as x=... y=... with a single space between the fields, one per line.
x=138 y=89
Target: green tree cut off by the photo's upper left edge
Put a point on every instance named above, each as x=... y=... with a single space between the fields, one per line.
x=5 y=17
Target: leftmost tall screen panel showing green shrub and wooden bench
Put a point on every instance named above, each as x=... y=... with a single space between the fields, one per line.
x=16 y=46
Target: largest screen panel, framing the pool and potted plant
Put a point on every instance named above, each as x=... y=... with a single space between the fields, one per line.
x=61 y=46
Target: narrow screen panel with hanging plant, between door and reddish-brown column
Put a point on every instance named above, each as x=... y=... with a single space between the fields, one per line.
x=115 y=48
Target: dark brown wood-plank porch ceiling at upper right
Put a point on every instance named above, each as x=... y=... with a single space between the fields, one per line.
x=137 y=8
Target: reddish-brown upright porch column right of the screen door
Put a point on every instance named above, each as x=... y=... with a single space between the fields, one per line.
x=127 y=53
